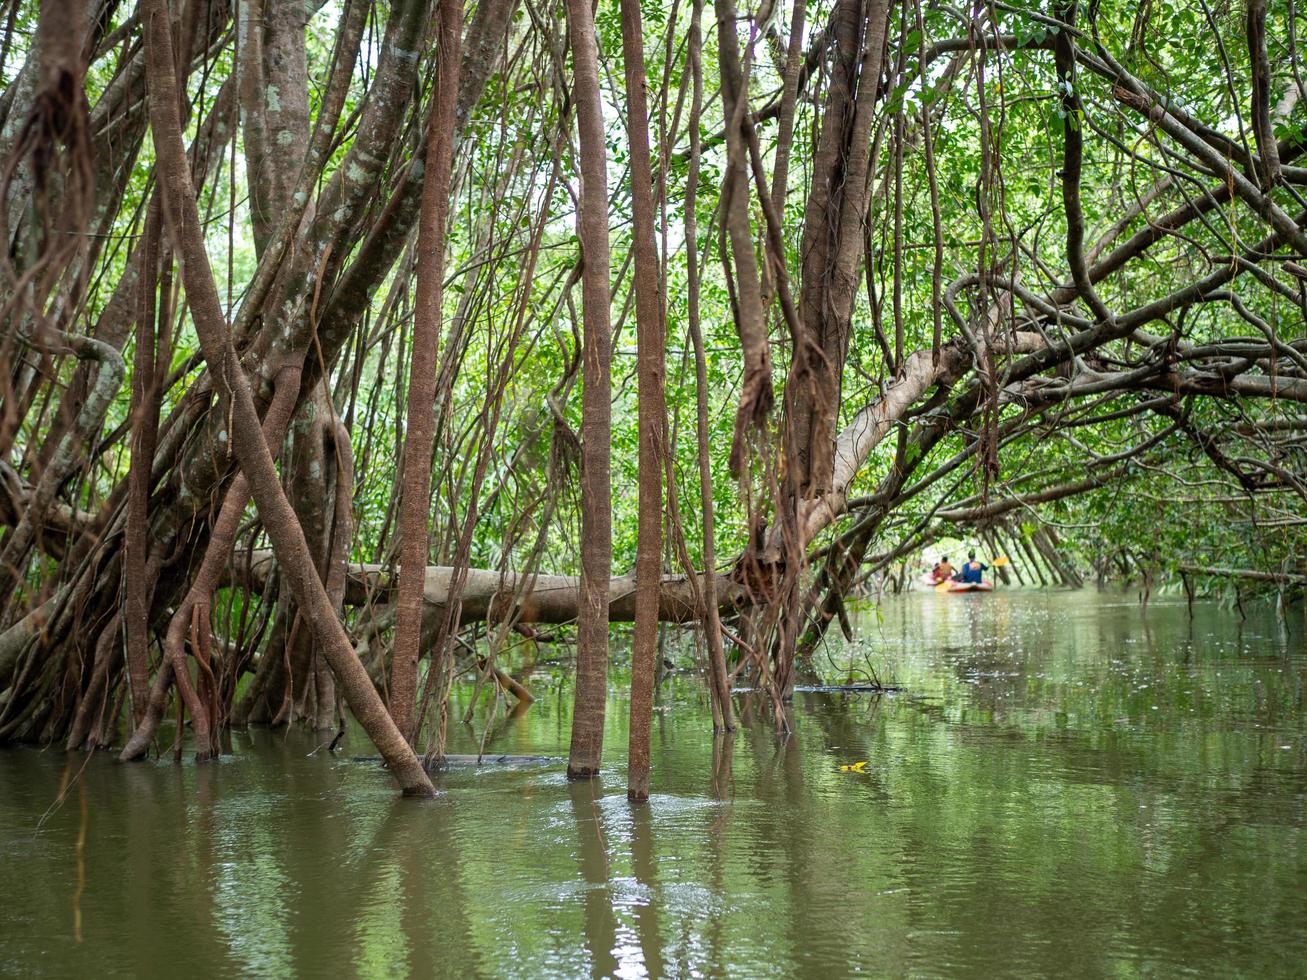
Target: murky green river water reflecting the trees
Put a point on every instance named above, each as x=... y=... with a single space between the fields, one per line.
x=1068 y=789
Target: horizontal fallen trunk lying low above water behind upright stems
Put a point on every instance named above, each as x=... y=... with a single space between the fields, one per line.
x=547 y=599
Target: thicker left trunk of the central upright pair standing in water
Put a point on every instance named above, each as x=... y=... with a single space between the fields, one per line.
x=597 y=521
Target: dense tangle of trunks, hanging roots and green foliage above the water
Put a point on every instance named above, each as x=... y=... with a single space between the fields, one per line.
x=786 y=295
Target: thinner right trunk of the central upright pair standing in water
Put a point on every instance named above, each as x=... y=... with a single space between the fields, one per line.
x=653 y=407
